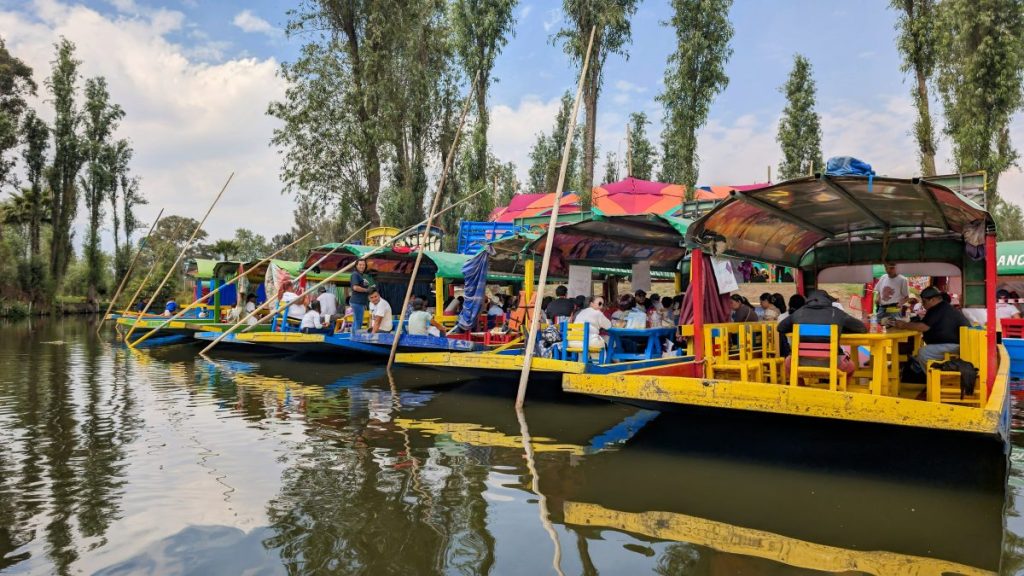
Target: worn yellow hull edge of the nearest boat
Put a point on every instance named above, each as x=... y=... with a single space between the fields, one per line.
x=801 y=401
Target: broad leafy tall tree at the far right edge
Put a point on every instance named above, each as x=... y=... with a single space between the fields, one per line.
x=980 y=75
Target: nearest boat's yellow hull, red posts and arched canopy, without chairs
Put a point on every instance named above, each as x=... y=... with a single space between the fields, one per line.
x=833 y=230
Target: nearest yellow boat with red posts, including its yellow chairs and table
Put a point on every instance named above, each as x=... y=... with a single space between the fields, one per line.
x=832 y=230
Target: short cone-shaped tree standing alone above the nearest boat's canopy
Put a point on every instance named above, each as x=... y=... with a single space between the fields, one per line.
x=800 y=131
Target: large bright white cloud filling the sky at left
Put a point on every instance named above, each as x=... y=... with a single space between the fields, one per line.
x=191 y=124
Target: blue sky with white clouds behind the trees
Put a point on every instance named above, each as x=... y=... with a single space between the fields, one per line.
x=195 y=78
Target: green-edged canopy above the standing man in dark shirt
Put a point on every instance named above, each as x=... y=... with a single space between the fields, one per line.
x=390 y=261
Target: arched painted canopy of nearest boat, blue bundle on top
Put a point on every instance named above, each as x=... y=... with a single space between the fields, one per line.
x=789 y=223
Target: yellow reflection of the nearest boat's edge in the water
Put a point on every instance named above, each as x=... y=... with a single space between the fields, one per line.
x=758 y=544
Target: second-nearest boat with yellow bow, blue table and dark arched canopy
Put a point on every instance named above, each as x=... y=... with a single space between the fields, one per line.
x=606 y=249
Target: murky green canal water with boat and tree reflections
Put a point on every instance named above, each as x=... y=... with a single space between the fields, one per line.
x=119 y=463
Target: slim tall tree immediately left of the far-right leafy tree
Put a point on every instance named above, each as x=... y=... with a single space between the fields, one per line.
x=917 y=43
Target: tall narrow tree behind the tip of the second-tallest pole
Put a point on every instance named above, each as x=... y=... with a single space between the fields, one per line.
x=482 y=29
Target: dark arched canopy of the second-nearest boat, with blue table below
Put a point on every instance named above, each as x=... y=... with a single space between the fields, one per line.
x=611 y=244
